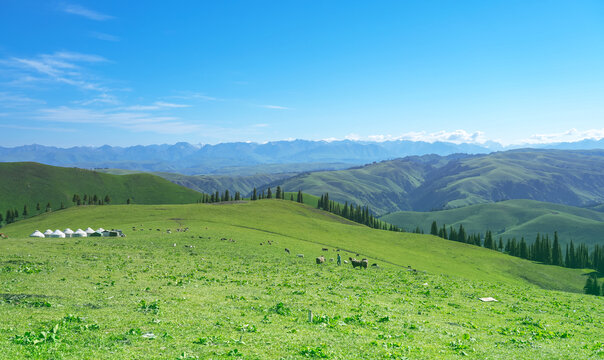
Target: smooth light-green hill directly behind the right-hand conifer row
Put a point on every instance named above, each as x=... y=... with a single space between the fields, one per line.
x=513 y=218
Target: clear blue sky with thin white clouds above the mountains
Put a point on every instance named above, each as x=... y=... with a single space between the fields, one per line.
x=127 y=73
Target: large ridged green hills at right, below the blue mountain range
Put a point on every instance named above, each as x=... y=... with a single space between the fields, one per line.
x=434 y=183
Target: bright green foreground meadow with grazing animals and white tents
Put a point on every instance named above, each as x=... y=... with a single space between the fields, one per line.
x=226 y=289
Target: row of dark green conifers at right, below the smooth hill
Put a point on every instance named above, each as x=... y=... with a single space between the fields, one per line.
x=543 y=249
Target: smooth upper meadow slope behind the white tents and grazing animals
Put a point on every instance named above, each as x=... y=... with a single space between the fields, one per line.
x=304 y=223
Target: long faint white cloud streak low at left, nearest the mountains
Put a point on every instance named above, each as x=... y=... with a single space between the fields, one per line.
x=130 y=120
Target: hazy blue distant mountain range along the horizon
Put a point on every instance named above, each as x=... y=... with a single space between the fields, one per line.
x=251 y=158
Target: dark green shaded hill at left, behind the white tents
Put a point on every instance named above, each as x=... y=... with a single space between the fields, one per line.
x=30 y=183
